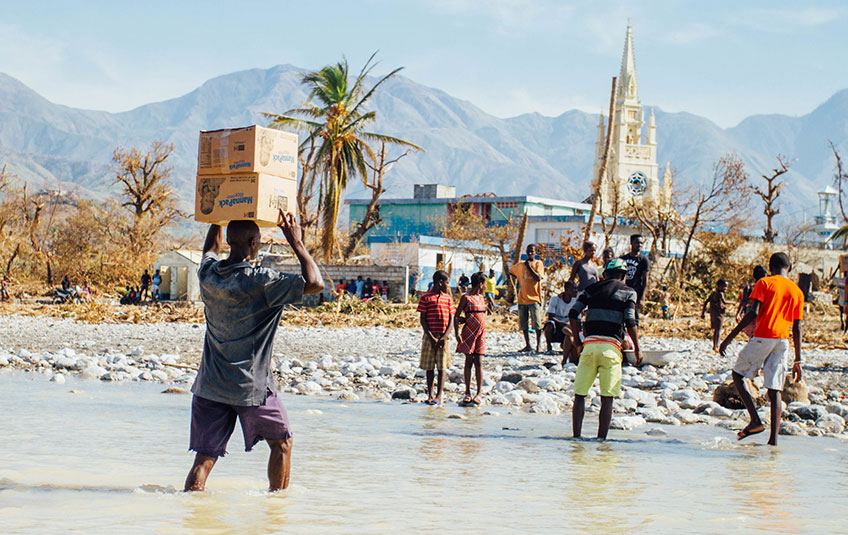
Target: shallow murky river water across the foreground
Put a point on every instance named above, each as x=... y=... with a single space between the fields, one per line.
x=108 y=458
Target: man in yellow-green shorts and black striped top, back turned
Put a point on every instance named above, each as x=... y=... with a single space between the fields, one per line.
x=610 y=307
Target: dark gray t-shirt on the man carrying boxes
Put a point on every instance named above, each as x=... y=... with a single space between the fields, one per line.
x=243 y=308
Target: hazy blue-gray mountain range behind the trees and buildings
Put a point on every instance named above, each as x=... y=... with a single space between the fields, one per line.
x=530 y=154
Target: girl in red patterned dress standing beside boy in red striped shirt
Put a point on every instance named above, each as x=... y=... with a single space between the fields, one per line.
x=471 y=312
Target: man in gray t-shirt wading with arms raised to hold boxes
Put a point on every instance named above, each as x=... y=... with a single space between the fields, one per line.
x=243 y=308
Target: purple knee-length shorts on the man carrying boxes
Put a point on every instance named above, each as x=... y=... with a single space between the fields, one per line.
x=213 y=422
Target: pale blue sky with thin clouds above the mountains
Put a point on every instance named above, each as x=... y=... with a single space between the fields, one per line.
x=723 y=60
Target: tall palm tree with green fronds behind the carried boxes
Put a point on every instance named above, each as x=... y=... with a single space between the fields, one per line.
x=333 y=115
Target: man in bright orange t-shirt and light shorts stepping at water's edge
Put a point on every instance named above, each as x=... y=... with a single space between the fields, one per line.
x=777 y=306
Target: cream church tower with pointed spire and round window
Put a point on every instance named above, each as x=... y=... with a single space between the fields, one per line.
x=632 y=166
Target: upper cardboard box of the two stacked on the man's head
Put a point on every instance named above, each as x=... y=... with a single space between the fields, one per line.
x=252 y=149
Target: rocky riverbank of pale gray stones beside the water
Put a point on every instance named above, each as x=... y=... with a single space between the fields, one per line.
x=381 y=364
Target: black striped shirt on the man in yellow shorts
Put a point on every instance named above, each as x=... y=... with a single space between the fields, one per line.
x=610 y=307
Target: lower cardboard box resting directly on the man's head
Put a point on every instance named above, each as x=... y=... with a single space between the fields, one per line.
x=254 y=196
